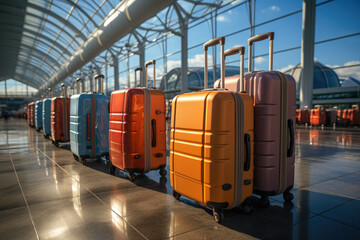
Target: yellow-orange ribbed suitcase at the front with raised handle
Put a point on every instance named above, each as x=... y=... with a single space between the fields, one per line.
x=211 y=147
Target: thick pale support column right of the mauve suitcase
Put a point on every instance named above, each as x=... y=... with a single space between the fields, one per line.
x=307 y=53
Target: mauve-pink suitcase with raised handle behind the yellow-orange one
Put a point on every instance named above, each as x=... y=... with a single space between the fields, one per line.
x=274 y=95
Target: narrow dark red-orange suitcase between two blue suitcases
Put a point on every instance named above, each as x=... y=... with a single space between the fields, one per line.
x=60 y=119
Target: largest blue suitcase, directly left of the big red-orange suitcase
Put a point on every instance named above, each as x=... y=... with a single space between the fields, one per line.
x=89 y=124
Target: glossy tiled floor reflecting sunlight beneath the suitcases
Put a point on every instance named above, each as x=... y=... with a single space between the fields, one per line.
x=46 y=194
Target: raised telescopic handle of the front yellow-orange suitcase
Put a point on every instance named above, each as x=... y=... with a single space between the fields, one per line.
x=213 y=42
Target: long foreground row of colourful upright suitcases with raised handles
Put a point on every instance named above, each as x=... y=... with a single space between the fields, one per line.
x=227 y=142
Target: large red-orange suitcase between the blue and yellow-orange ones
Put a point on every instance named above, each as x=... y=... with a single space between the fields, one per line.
x=137 y=139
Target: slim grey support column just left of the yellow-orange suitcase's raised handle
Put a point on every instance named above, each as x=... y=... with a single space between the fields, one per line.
x=184 y=58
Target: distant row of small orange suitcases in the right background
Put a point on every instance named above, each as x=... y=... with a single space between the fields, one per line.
x=330 y=117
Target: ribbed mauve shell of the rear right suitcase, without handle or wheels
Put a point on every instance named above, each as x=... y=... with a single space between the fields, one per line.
x=264 y=88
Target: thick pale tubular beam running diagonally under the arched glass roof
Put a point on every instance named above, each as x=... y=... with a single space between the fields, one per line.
x=122 y=20
